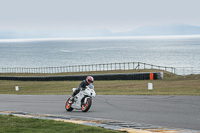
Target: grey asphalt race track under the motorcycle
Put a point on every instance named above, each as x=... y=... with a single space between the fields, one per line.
x=167 y=111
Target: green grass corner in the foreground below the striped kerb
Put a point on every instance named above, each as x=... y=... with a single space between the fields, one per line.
x=12 y=124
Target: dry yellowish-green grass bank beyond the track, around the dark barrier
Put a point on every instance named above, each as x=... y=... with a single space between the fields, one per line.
x=170 y=85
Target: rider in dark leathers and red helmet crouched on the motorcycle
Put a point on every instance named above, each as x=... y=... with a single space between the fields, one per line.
x=89 y=80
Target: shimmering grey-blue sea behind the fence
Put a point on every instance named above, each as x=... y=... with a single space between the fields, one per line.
x=170 y=51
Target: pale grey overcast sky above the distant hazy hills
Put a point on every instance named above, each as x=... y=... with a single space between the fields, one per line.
x=76 y=15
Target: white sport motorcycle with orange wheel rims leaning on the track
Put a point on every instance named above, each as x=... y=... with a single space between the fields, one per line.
x=83 y=100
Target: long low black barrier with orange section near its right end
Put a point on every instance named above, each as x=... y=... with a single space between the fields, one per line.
x=121 y=76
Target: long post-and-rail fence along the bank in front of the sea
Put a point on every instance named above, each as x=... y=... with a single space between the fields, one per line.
x=86 y=68
